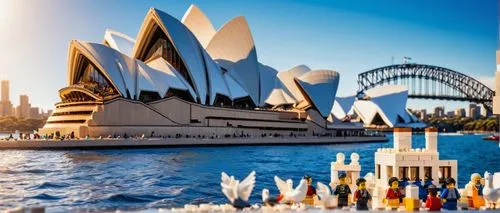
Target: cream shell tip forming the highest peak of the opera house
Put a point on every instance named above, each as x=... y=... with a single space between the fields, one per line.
x=196 y=21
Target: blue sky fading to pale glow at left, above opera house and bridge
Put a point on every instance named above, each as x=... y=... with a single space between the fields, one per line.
x=349 y=36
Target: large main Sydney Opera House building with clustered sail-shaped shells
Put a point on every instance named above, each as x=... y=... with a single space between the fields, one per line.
x=186 y=77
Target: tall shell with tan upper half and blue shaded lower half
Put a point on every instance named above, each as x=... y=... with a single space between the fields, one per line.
x=233 y=48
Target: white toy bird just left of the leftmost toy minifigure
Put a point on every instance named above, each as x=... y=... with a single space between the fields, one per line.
x=296 y=195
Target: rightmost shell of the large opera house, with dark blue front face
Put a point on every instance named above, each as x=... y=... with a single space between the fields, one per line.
x=319 y=87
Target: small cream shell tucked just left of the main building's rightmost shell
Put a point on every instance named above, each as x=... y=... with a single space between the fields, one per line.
x=288 y=79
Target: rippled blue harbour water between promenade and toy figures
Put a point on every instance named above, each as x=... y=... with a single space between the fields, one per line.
x=172 y=177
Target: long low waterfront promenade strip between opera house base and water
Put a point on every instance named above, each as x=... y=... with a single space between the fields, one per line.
x=175 y=142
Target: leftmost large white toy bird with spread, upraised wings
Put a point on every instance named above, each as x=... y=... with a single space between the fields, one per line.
x=238 y=193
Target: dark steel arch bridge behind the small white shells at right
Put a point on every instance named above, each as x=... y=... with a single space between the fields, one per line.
x=429 y=82
